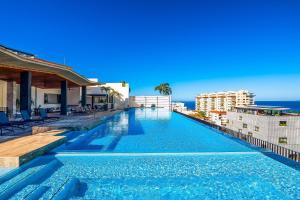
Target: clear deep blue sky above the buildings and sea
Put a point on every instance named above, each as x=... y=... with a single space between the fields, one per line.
x=197 y=46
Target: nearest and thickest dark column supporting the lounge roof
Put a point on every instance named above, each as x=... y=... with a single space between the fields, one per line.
x=25 y=91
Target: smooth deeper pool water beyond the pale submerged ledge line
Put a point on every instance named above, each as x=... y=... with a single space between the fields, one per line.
x=150 y=130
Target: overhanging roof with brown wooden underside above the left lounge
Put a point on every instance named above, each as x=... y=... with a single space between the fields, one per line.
x=12 y=62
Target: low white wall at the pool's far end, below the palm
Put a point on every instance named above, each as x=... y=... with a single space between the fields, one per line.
x=150 y=101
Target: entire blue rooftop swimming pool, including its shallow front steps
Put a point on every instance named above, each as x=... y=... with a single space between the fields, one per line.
x=152 y=154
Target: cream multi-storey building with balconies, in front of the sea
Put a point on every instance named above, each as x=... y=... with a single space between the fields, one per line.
x=223 y=101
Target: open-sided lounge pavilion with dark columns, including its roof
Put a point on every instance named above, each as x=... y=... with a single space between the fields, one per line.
x=28 y=84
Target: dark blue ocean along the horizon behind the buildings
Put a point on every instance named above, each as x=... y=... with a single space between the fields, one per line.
x=293 y=105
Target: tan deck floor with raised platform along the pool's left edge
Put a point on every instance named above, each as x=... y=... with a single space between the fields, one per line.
x=18 y=149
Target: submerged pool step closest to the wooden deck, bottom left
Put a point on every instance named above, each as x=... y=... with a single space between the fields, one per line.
x=17 y=183
